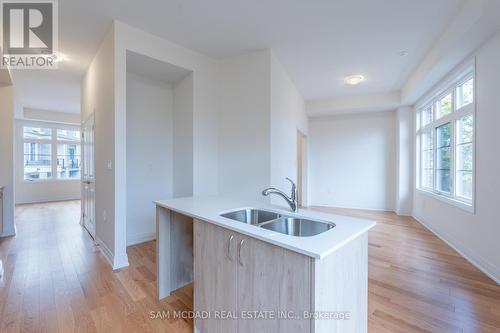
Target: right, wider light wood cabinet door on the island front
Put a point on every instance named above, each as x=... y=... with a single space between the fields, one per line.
x=272 y=280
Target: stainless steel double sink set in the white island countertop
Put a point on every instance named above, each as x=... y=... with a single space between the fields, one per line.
x=289 y=225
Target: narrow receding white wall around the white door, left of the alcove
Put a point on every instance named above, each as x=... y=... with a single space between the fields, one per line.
x=98 y=96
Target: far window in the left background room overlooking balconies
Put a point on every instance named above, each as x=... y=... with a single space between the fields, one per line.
x=51 y=153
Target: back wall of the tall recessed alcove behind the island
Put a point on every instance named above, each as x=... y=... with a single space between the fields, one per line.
x=149 y=153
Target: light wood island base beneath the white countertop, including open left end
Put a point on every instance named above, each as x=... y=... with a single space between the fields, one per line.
x=237 y=276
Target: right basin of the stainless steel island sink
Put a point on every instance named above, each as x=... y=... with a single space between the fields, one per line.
x=297 y=226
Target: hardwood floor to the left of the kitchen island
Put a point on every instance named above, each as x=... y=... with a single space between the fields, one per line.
x=56 y=280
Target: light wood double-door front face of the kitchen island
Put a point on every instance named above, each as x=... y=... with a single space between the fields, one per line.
x=240 y=274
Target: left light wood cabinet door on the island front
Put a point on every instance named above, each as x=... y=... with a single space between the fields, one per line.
x=214 y=277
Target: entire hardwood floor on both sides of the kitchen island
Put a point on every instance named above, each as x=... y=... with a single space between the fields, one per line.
x=56 y=280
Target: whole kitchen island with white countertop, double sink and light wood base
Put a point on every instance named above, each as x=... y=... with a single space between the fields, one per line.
x=251 y=277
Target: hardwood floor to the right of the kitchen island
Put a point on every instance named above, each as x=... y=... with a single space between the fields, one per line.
x=417 y=283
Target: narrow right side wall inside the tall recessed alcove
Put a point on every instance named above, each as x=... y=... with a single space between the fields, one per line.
x=183 y=137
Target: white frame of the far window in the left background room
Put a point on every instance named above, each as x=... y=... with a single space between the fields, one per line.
x=53 y=142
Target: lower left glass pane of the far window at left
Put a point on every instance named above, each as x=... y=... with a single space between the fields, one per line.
x=37 y=161
